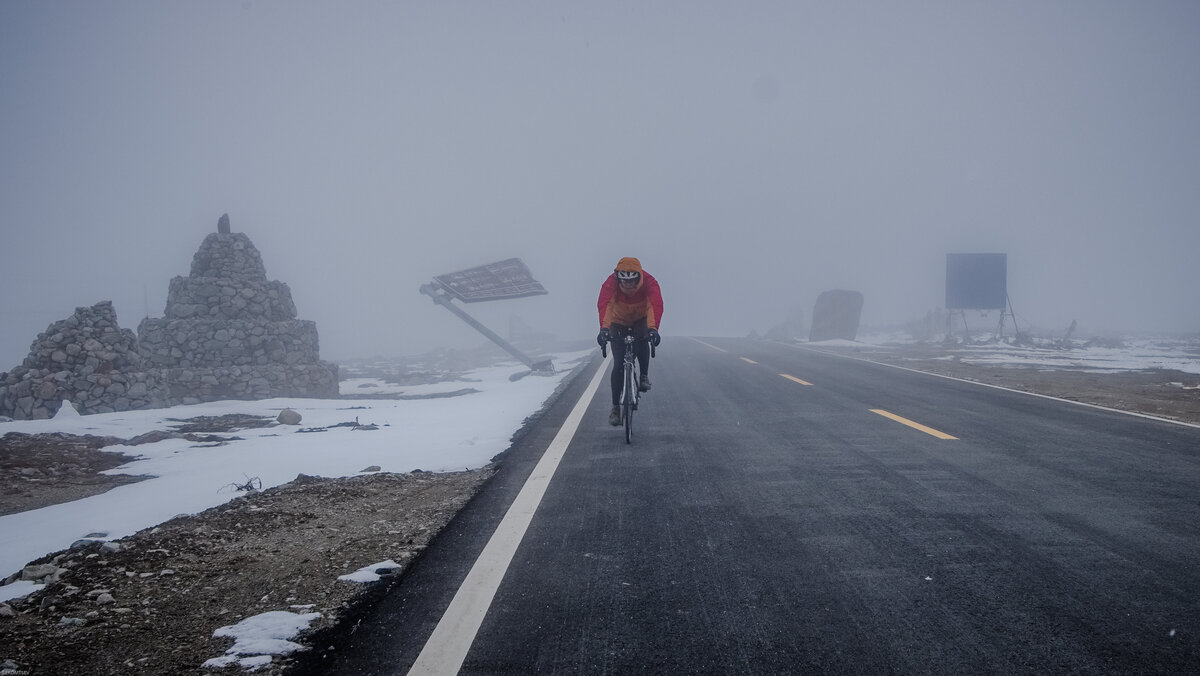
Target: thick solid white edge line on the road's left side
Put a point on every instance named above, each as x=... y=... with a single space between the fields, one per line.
x=447 y=648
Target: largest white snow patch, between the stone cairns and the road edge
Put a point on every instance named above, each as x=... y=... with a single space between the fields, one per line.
x=435 y=435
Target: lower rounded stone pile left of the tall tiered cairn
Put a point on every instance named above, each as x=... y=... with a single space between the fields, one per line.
x=87 y=360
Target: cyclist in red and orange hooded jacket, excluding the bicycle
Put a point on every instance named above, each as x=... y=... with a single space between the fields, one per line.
x=631 y=303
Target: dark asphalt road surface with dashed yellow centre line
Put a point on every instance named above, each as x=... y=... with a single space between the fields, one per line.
x=785 y=511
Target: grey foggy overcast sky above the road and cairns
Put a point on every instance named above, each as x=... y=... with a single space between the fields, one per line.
x=751 y=154
